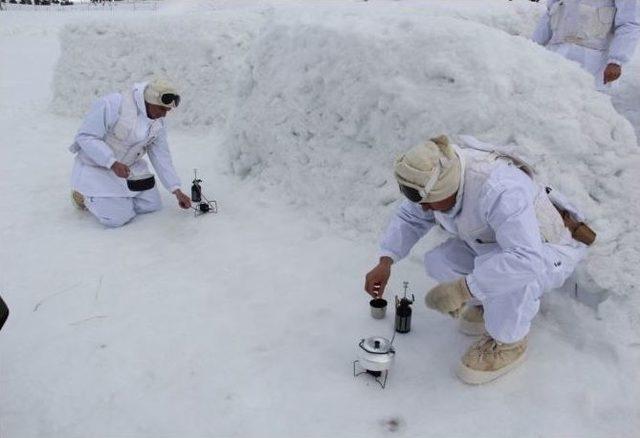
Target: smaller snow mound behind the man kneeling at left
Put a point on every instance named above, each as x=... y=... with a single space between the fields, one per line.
x=200 y=55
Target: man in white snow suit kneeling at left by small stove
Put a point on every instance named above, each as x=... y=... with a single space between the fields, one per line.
x=109 y=146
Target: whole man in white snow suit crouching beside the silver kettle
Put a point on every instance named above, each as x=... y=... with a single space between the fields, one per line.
x=509 y=244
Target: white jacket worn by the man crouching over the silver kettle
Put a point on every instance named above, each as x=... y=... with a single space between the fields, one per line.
x=503 y=215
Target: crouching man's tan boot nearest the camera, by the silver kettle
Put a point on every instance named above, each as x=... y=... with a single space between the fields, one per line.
x=489 y=359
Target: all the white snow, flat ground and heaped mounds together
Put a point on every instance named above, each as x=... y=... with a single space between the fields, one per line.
x=246 y=323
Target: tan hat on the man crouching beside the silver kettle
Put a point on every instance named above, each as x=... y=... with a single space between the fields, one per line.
x=433 y=168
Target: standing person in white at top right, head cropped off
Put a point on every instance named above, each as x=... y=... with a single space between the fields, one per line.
x=601 y=35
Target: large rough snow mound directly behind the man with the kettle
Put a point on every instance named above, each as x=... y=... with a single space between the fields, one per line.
x=324 y=106
